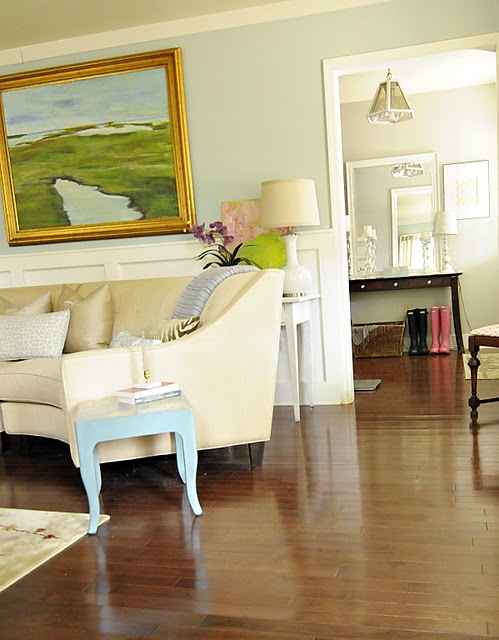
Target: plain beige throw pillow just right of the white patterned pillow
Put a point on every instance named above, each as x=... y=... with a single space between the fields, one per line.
x=90 y=325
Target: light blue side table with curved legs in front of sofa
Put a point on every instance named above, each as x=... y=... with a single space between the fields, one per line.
x=107 y=419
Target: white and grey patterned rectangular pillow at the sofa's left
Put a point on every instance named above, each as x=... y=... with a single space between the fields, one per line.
x=40 y=336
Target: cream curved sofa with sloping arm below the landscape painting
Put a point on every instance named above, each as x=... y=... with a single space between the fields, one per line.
x=226 y=368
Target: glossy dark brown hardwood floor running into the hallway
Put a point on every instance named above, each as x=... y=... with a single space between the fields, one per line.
x=373 y=520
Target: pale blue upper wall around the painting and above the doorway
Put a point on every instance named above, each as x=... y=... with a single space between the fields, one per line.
x=255 y=102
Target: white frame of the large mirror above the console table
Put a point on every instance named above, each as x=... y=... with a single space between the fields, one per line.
x=429 y=157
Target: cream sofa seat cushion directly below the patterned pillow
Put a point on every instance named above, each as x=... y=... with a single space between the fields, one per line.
x=37 y=380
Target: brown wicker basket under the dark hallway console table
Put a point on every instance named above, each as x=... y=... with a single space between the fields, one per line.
x=378 y=340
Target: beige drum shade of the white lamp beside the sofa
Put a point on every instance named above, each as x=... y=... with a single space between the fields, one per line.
x=288 y=203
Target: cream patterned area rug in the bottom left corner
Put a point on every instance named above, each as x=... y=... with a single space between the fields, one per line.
x=30 y=538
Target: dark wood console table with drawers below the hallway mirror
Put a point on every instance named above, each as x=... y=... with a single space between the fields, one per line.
x=429 y=281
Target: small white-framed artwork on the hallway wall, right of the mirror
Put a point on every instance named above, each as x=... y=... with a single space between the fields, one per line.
x=466 y=189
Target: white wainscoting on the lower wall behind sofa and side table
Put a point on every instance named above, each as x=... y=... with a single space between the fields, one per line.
x=178 y=258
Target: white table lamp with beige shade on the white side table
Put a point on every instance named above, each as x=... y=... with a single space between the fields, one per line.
x=290 y=203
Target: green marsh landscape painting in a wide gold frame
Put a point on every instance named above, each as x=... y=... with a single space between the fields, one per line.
x=96 y=150
